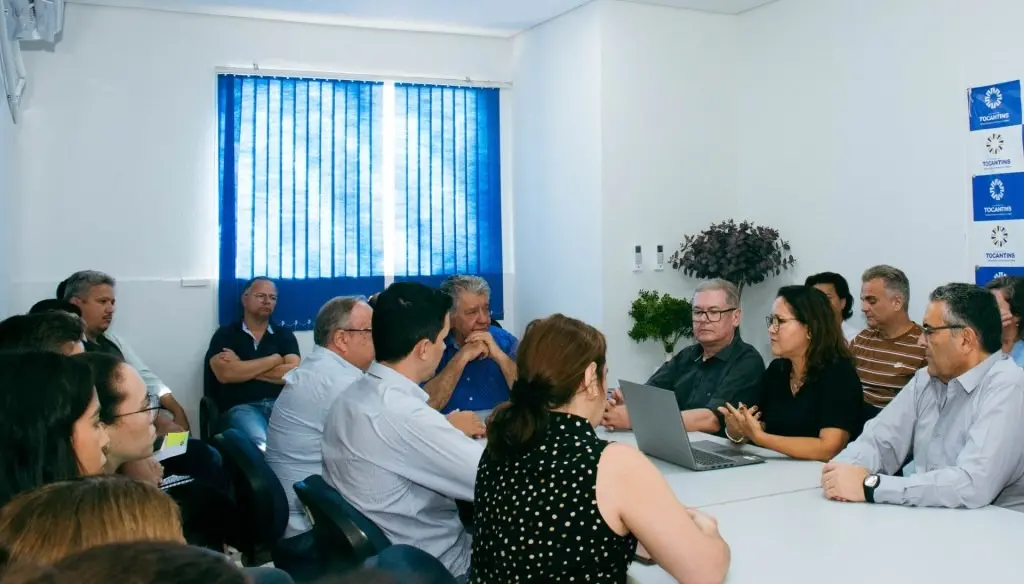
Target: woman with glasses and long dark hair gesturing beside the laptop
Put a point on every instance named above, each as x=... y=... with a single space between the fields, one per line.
x=812 y=396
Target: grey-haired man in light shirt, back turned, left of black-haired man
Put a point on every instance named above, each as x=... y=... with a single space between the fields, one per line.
x=344 y=351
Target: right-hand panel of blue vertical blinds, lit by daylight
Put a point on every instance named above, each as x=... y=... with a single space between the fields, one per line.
x=448 y=186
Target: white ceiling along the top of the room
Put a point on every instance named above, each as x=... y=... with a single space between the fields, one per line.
x=481 y=17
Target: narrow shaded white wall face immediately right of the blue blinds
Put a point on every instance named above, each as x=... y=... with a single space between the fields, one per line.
x=558 y=169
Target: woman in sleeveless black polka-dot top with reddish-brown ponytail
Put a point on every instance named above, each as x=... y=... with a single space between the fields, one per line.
x=554 y=503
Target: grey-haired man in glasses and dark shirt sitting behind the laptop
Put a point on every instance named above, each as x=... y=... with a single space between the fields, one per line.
x=719 y=369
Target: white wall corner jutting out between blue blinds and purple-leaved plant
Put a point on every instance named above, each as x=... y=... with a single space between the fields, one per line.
x=624 y=127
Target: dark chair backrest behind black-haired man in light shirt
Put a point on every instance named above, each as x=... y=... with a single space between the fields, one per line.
x=338 y=525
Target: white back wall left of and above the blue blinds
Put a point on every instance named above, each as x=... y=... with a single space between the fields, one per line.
x=119 y=148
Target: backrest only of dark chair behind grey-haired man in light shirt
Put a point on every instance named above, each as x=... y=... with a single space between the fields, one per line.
x=260 y=495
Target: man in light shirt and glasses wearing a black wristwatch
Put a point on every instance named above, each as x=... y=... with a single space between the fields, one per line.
x=962 y=419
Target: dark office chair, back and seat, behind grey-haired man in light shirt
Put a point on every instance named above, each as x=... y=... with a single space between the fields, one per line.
x=264 y=510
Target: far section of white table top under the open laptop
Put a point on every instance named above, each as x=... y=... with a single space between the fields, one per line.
x=779 y=475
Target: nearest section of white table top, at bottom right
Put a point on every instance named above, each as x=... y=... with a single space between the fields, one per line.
x=802 y=538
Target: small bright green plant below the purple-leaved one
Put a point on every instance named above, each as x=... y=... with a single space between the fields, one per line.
x=662 y=318
